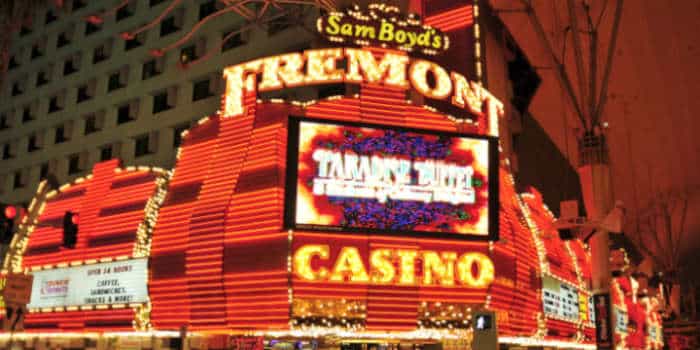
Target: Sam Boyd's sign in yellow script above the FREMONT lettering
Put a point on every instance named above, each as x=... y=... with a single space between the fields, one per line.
x=382 y=26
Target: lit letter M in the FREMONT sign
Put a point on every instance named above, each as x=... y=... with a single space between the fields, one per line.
x=392 y=64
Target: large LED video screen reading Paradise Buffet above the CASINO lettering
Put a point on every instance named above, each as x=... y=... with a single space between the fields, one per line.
x=355 y=178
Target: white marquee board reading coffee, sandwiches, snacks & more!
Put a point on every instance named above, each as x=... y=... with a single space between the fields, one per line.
x=120 y=282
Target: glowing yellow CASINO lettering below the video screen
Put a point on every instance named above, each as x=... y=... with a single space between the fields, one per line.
x=312 y=262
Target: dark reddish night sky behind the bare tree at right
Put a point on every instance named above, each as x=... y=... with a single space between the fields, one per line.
x=653 y=98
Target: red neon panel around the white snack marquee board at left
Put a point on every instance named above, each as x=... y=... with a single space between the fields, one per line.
x=111 y=206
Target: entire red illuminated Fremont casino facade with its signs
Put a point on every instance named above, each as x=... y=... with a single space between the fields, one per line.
x=386 y=214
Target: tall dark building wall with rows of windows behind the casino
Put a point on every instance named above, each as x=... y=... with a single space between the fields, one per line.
x=21 y=170
